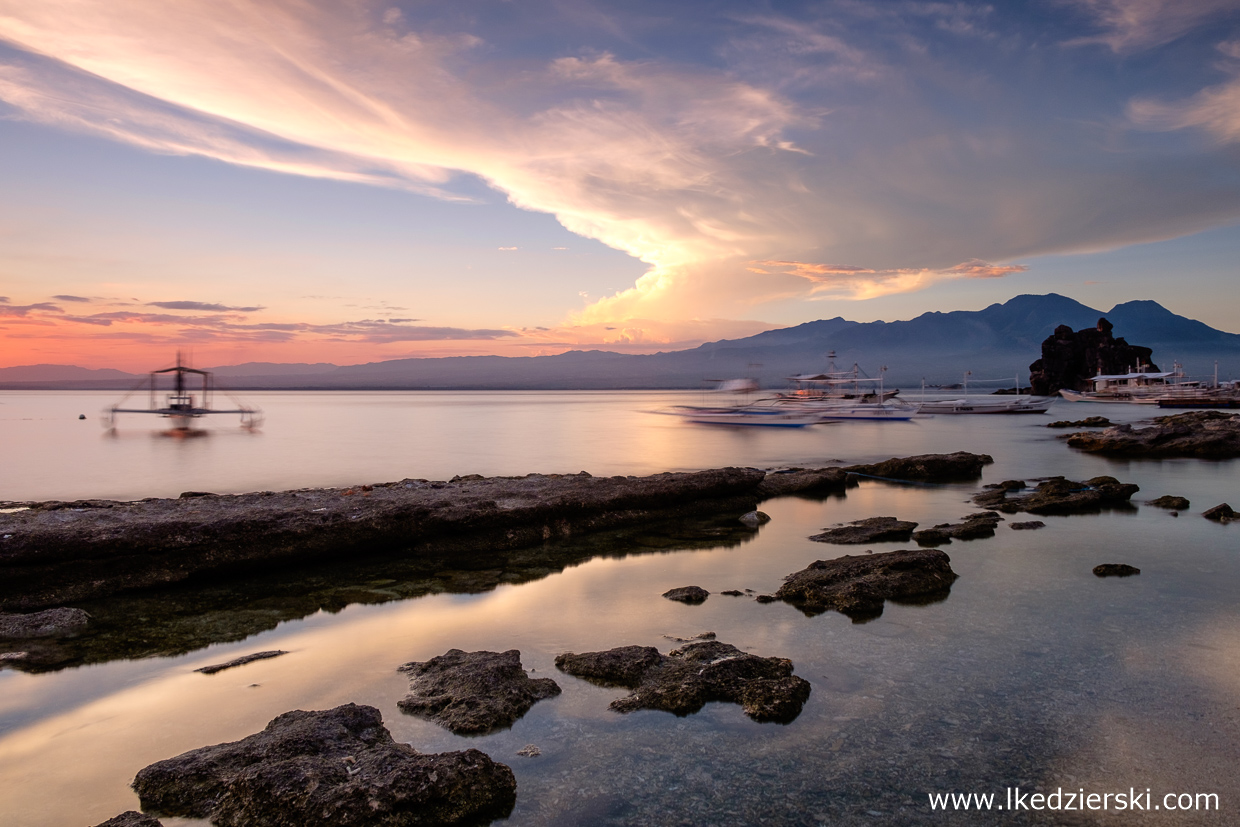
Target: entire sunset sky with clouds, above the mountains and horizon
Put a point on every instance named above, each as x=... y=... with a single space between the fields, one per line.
x=350 y=182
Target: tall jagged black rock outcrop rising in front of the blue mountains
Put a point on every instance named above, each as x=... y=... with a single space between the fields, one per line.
x=1071 y=359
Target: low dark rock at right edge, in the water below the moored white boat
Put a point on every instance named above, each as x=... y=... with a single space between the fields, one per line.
x=1205 y=435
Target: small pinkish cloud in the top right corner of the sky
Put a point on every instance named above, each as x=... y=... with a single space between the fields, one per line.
x=1131 y=25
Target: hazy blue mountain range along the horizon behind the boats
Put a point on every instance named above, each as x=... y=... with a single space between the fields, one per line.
x=999 y=342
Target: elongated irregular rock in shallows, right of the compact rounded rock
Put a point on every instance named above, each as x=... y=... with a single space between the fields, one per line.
x=688 y=679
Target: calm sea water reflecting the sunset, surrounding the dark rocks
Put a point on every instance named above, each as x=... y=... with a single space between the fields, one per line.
x=1032 y=673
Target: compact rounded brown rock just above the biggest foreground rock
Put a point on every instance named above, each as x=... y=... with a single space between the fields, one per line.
x=473 y=692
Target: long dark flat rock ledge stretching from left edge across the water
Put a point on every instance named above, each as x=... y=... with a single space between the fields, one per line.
x=58 y=554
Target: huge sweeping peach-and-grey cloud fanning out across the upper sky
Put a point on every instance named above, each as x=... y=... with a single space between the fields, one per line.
x=891 y=135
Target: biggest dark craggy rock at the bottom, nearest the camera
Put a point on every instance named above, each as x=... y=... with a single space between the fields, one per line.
x=338 y=768
